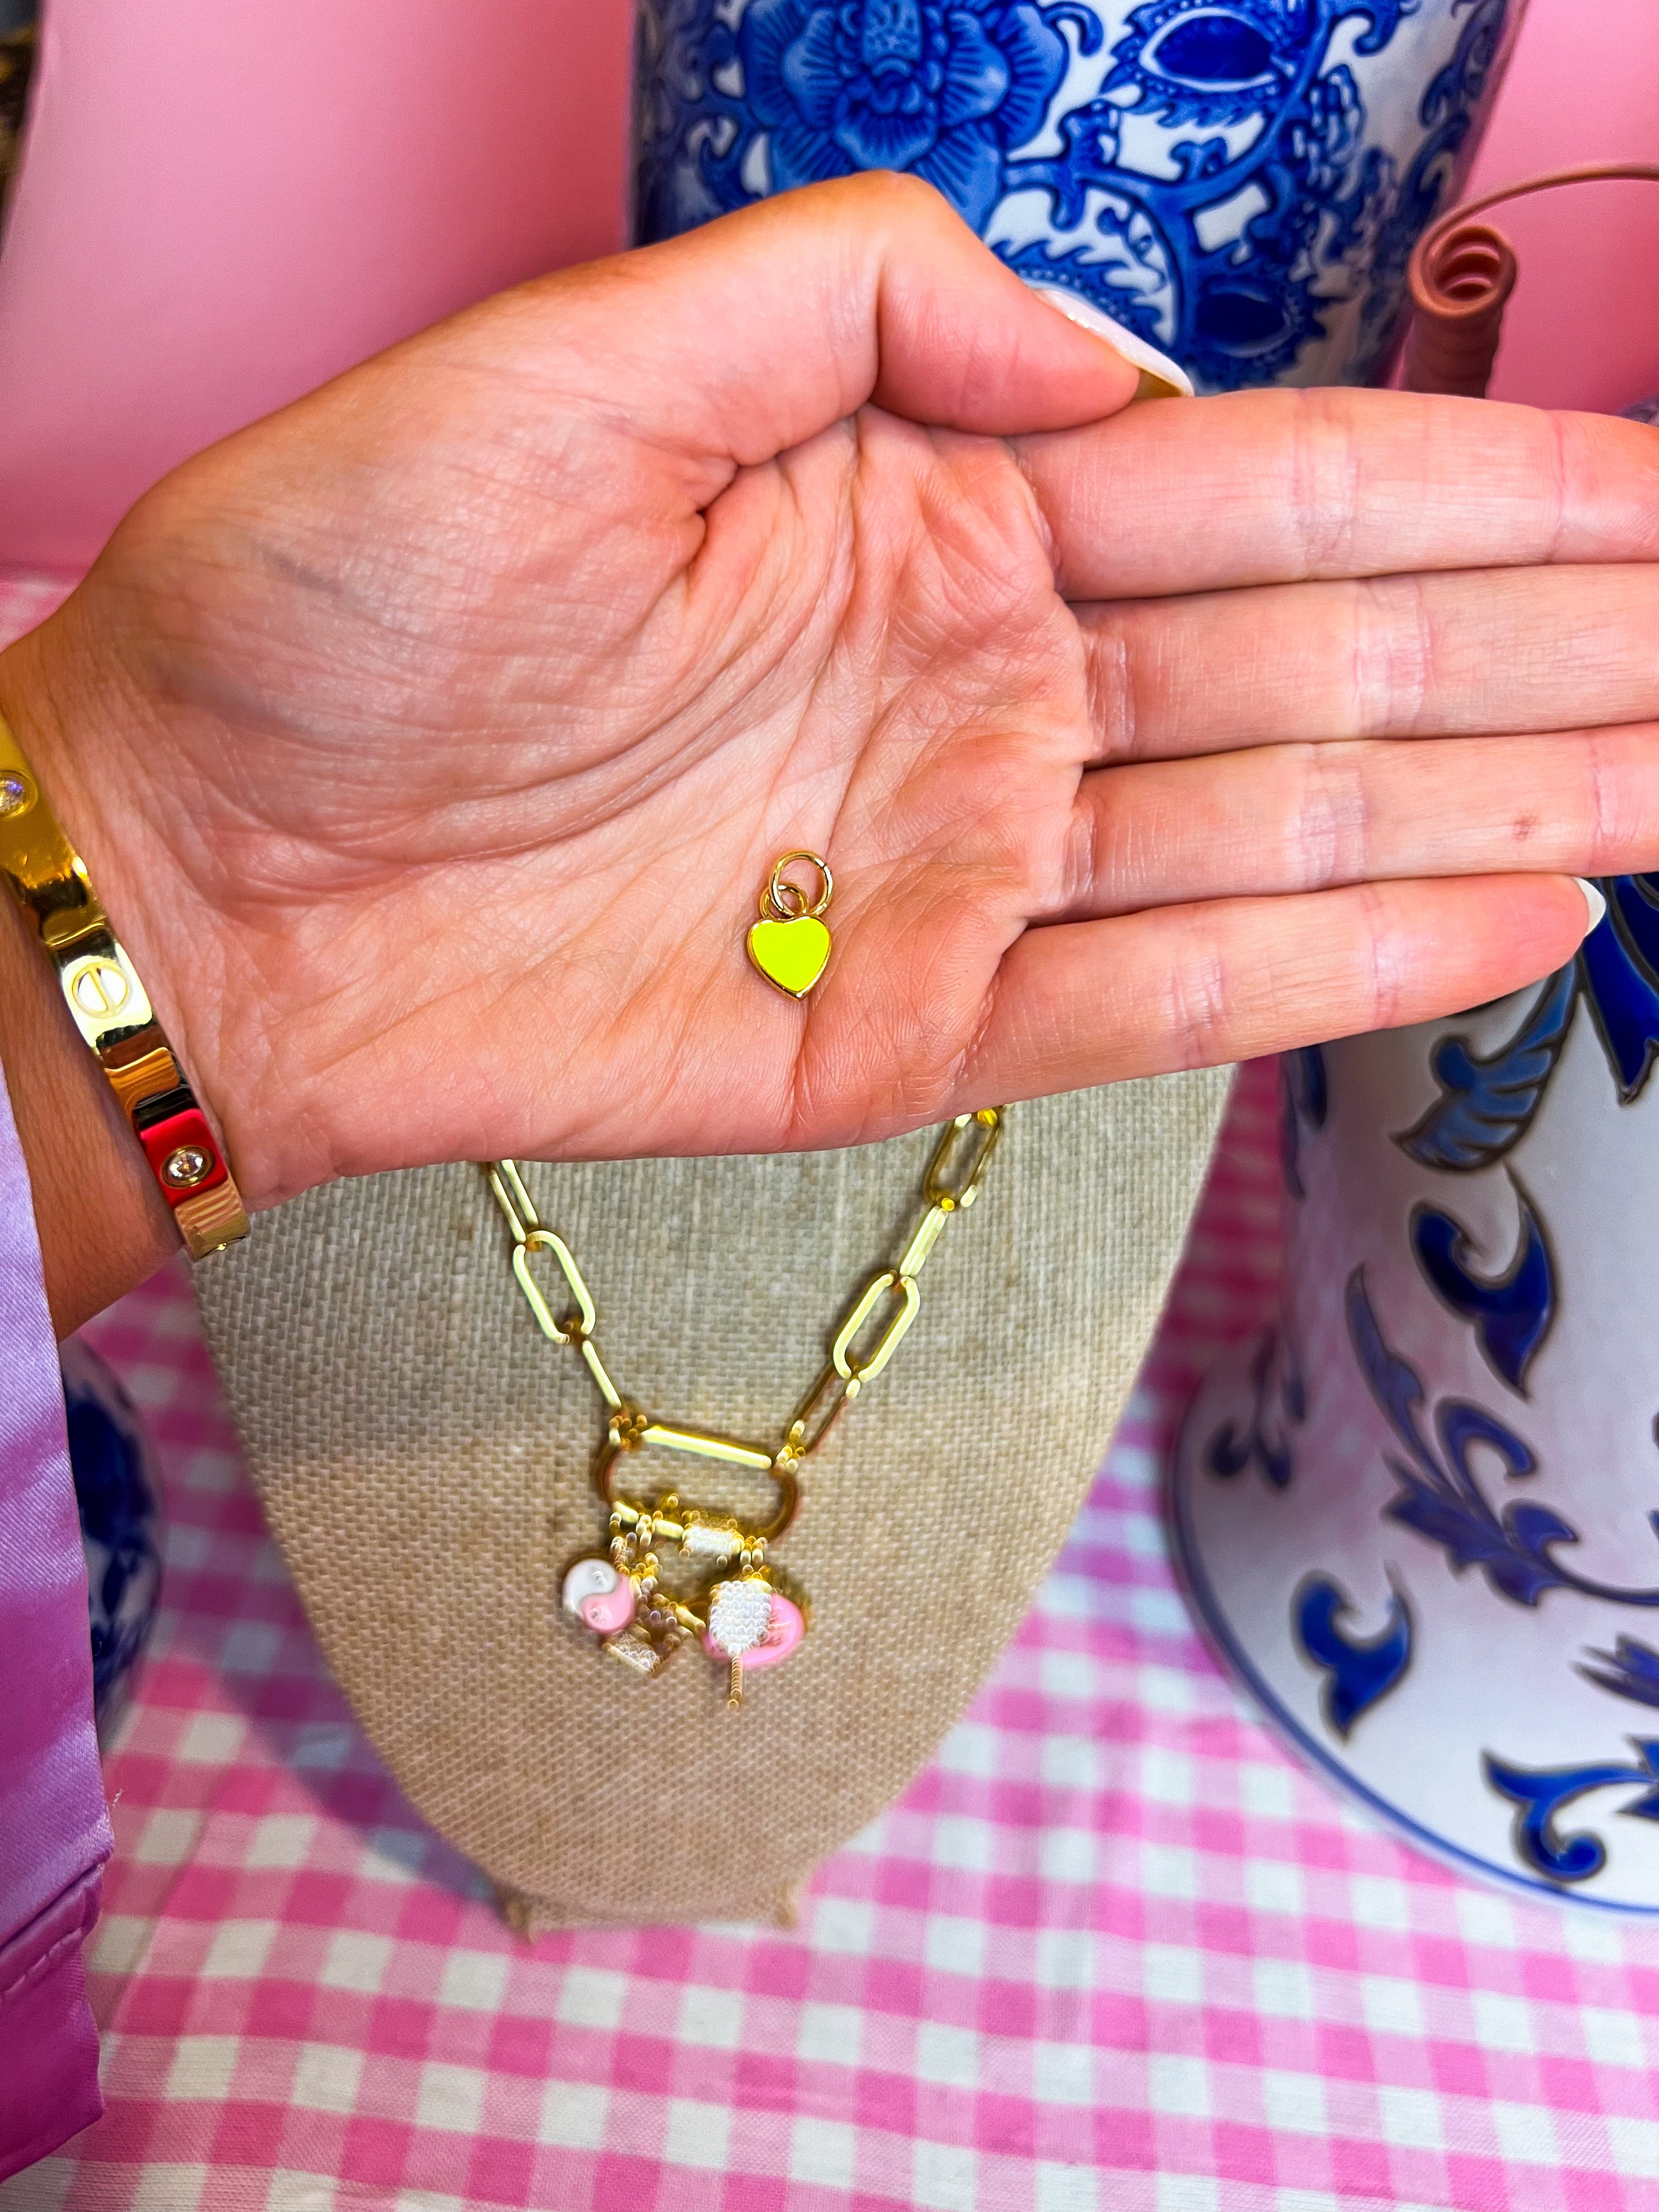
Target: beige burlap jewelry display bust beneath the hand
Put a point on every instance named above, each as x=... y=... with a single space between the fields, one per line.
x=424 y=1457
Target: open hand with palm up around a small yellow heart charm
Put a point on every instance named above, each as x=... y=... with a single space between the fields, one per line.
x=430 y=742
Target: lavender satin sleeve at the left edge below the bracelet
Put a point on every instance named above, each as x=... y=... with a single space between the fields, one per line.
x=54 y=1826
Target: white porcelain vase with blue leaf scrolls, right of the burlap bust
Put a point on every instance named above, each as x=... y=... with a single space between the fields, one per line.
x=1421 y=1516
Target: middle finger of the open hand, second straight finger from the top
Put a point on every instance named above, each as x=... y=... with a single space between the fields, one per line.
x=1408 y=656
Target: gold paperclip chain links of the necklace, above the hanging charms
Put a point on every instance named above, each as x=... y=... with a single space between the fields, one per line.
x=950 y=1187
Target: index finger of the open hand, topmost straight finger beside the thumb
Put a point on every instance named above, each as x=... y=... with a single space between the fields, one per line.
x=1282 y=488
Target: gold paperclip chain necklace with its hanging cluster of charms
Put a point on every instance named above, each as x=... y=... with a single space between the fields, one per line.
x=749 y=1616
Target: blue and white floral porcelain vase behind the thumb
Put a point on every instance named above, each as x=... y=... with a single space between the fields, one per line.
x=1235 y=182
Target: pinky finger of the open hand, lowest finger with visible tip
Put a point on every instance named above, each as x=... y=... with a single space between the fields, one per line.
x=1180 y=988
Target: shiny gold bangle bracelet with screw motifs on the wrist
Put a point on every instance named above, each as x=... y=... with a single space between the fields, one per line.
x=112 y=1010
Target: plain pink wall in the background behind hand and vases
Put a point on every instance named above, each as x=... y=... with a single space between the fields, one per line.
x=225 y=205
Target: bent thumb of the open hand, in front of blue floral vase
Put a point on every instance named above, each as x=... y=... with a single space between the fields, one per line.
x=751 y=335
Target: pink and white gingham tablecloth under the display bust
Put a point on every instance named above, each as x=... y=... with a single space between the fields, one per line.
x=1109 y=1954
